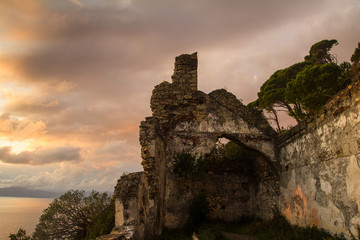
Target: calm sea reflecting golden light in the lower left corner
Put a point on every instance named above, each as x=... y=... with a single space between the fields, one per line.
x=22 y=213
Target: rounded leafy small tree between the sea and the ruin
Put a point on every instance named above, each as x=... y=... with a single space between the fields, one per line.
x=68 y=216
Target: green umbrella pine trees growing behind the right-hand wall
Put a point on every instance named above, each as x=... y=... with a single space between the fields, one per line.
x=303 y=88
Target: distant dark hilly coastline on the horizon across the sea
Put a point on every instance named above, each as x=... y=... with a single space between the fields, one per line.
x=26 y=193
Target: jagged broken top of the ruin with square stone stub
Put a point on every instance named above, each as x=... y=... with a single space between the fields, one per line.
x=180 y=100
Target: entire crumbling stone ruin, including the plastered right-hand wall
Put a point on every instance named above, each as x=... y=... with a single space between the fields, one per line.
x=311 y=174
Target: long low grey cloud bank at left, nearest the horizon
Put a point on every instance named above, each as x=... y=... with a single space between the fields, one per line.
x=40 y=157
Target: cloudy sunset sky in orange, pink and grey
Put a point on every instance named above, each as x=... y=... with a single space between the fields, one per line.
x=76 y=75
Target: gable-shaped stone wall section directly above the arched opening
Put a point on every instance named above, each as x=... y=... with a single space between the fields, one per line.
x=222 y=115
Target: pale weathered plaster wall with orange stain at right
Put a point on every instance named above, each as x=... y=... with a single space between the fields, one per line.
x=320 y=183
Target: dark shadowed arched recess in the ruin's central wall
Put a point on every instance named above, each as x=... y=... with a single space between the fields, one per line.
x=236 y=178
